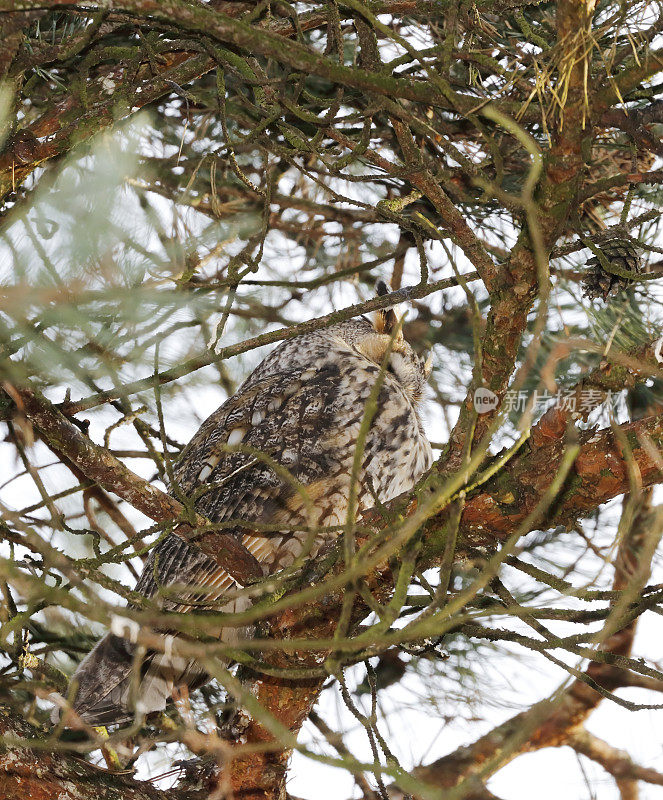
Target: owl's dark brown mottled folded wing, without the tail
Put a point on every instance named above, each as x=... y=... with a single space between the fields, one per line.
x=279 y=419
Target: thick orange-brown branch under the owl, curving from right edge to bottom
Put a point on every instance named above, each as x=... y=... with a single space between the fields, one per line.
x=492 y=513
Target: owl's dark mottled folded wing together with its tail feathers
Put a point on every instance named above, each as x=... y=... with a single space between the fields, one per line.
x=285 y=417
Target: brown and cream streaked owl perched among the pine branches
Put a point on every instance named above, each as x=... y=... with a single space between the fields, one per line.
x=274 y=463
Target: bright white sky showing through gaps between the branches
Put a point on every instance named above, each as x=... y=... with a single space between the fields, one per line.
x=413 y=731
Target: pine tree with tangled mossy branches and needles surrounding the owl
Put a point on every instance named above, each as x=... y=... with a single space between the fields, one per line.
x=184 y=183
